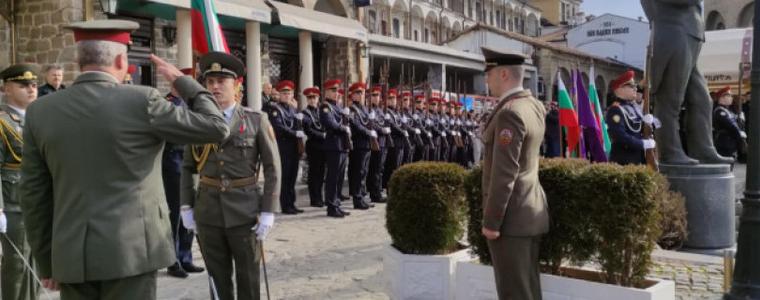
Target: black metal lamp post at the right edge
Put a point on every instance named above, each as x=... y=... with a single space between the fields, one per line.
x=746 y=284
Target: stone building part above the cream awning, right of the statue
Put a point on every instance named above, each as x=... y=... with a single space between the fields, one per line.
x=726 y=14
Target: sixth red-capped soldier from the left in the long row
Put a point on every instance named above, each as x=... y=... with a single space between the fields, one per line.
x=399 y=134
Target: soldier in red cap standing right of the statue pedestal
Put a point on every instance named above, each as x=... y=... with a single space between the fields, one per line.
x=728 y=135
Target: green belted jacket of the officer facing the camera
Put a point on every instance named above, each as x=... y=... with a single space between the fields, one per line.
x=251 y=142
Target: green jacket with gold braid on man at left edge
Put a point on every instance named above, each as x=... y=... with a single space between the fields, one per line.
x=10 y=156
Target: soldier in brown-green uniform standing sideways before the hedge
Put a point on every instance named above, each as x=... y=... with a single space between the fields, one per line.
x=515 y=213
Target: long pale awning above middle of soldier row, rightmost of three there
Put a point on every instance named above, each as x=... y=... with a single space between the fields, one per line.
x=397 y=48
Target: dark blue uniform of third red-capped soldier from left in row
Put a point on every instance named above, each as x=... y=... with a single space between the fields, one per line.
x=333 y=147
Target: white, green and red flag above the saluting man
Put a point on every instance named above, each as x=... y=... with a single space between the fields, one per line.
x=207 y=33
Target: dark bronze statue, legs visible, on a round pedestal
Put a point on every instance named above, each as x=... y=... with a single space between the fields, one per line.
x=678 y=31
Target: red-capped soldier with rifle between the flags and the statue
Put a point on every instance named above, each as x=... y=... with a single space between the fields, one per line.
x=625 y=123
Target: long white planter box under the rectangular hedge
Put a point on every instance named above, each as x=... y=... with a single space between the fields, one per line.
x=476 y=282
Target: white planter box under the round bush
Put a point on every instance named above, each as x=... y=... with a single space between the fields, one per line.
x=420 y=277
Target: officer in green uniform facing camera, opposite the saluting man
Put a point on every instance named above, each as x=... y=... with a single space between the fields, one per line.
x=232 y=213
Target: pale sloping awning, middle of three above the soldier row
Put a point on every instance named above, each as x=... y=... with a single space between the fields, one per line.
x=316 y=21
